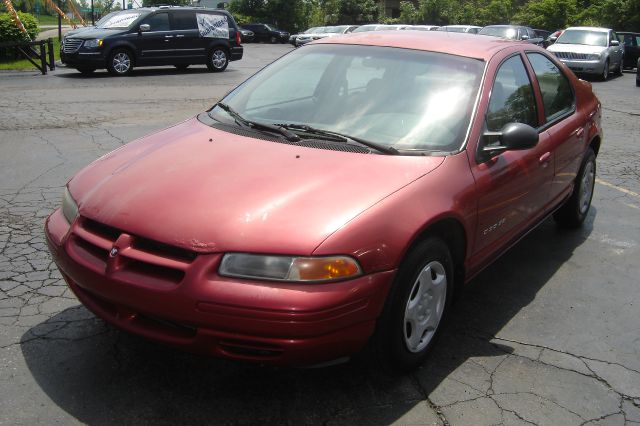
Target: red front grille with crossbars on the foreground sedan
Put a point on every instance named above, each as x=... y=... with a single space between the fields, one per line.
x=138 y=260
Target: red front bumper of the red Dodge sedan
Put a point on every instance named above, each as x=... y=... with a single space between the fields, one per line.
x=274 y=323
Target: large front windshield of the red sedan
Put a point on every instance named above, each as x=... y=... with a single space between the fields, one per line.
x=406 y=99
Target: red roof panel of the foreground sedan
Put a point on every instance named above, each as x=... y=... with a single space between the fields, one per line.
x=460 y=44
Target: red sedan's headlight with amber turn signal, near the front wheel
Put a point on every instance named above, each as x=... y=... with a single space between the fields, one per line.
x=288 y=268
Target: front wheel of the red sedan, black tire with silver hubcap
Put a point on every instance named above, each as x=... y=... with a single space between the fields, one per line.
x=416 y=307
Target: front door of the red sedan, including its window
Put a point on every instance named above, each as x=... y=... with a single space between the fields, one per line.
x=513 y=188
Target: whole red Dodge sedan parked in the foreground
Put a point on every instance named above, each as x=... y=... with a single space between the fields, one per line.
x=305 y=215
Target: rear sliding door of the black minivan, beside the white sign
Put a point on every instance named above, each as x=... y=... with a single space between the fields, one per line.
x=189 y=46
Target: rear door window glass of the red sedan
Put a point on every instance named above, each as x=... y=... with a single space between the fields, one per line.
x=557 y=96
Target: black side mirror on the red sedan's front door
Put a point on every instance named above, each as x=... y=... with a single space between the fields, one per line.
x=512 y=137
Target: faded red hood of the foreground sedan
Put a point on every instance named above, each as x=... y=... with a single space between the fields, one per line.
x=208 y=190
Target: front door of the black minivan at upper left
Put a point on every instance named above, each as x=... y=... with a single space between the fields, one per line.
x=156 y=45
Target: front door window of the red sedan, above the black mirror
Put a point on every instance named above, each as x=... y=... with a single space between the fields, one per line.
x=512 y=98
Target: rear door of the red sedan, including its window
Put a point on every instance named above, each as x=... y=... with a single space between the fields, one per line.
x=566 y=129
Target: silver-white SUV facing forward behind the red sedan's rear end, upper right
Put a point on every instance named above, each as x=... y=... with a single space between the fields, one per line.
x=590 y=50
